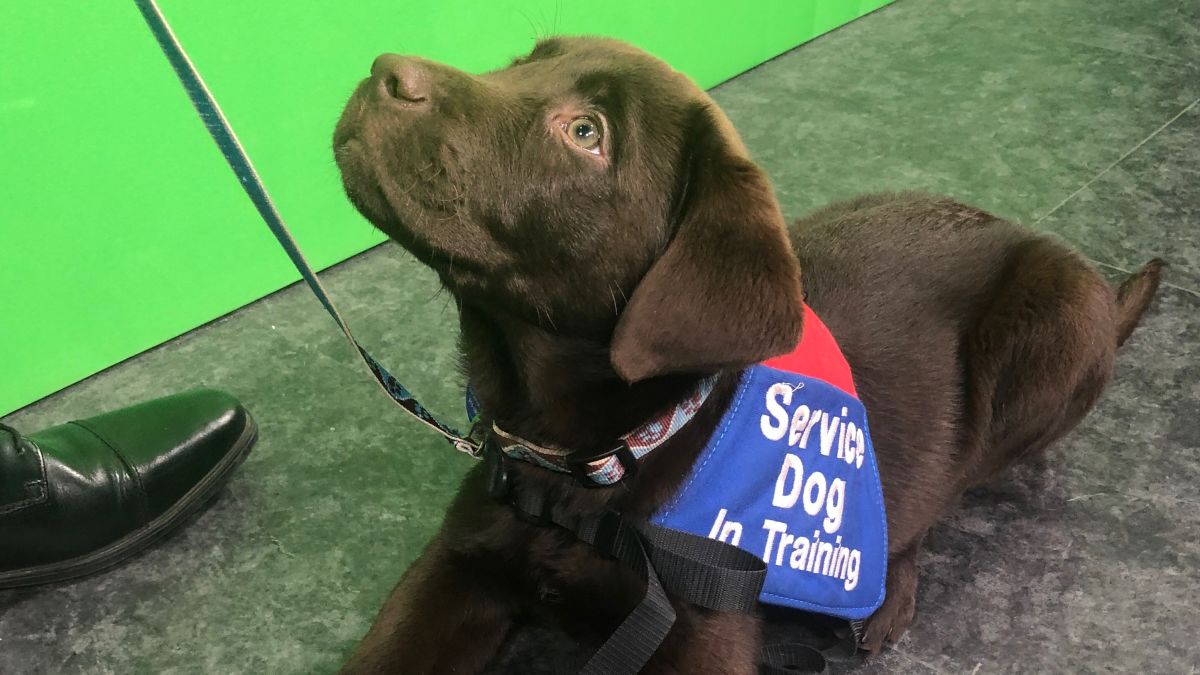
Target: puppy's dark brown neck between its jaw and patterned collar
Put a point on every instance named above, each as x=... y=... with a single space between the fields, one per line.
x=557 y=391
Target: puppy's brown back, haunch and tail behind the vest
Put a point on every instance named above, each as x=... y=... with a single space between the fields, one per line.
x=1007 y=337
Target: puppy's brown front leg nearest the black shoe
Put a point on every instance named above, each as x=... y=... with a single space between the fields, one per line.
x=442 y=618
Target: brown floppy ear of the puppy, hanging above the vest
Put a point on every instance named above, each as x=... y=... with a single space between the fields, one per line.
x=727 y=292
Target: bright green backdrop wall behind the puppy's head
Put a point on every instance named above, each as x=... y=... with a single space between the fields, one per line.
x=121 y=225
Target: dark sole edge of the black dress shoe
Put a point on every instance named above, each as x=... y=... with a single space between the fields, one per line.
x=143 y=537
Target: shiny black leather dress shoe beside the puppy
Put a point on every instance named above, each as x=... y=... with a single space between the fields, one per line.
x=85 y=497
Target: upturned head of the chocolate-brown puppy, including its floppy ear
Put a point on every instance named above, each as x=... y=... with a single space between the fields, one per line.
x=587 y=188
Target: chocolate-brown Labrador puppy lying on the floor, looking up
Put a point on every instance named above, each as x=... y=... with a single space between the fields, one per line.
x=610 y=243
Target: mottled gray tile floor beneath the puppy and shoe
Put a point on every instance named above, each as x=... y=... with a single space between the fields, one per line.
x=1077 y=117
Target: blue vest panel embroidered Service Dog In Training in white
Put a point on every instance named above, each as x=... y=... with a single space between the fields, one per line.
x=790 y=476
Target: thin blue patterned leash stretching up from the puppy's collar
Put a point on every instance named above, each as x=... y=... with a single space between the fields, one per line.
x=227 y=141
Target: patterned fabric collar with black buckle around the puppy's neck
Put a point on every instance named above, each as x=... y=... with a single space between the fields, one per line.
x=605 y=468
